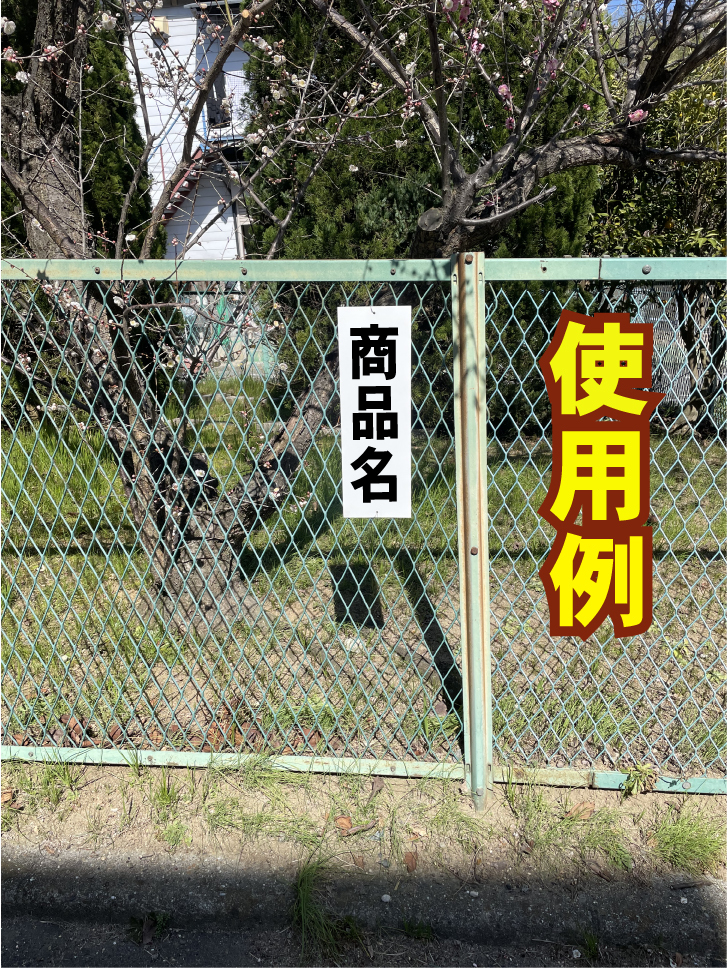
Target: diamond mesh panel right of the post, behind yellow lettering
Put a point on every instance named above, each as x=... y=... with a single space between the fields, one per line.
x=609 y=703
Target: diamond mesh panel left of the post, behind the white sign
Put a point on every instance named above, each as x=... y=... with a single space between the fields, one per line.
x=177 y=571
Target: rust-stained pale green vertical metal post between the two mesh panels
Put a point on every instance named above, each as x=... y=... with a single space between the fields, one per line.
x=468 y=311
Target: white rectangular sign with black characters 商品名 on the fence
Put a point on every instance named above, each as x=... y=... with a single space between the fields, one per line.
x=374 y=345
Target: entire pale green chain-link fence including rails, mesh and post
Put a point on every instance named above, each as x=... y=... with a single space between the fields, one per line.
x=179 y=582
